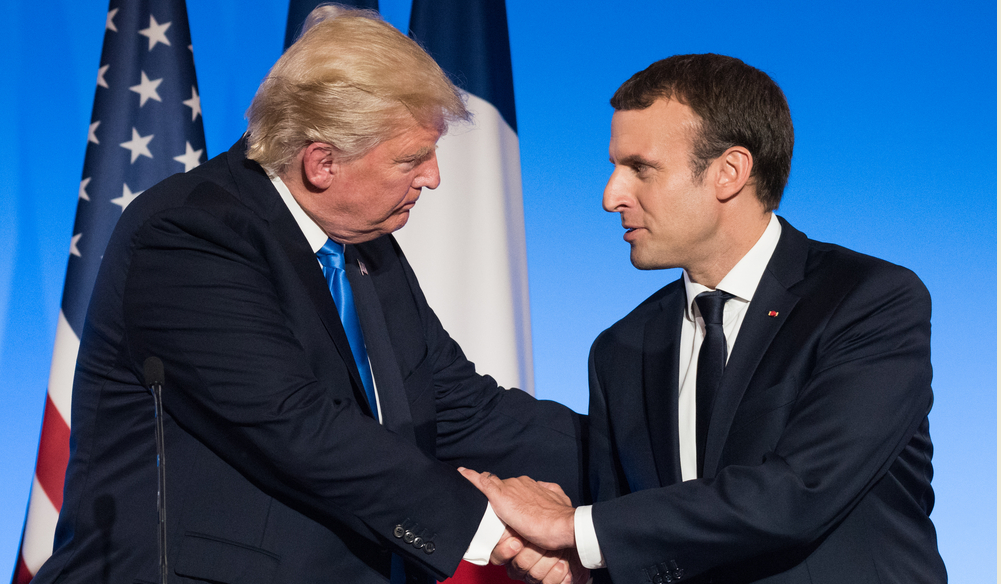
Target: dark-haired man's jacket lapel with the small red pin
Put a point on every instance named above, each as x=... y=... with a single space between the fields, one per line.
x=771 y=306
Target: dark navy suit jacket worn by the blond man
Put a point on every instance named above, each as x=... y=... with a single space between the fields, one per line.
x=277 y=470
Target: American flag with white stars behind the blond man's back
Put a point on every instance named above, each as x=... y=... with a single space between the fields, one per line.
x=146 y=127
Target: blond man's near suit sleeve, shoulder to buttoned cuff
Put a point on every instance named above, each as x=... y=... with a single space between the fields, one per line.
x=203 y=298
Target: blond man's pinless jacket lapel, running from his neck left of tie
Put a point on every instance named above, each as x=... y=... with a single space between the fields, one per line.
x=259 y=194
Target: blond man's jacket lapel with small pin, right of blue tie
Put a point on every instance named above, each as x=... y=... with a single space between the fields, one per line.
x=386 y=370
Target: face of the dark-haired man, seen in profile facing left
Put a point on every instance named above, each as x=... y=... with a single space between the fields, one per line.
x=670 y=217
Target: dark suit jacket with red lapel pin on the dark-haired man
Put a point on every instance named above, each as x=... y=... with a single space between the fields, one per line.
x=818 y=460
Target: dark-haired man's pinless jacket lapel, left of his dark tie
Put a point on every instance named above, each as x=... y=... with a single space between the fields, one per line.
x=660 y=385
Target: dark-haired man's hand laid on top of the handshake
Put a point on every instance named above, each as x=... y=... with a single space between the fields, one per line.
x=539 y=512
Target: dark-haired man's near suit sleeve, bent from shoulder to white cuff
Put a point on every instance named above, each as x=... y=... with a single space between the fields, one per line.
x=862 y=401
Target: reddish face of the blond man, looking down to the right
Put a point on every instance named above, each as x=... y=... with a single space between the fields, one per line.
x=373 y=196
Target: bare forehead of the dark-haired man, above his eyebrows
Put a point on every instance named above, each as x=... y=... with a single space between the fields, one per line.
x=666 y=127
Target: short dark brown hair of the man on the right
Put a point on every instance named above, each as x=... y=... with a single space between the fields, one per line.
x=738 y=107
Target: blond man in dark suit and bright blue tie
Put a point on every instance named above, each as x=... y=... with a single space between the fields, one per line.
x=315 y=409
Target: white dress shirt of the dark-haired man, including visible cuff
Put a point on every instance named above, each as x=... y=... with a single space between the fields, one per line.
x=742 y=282
